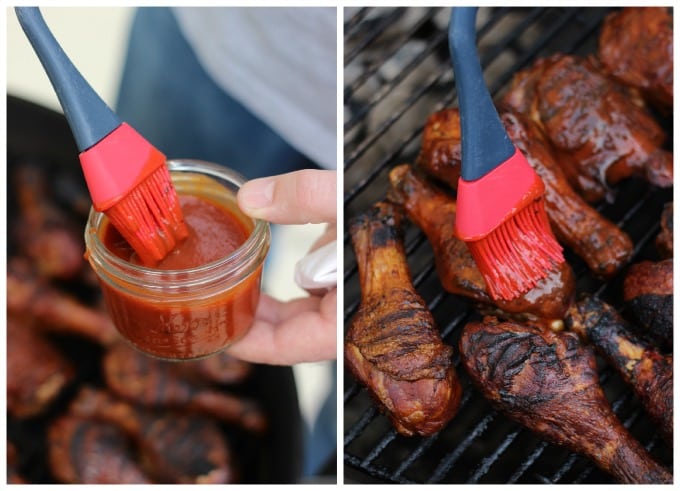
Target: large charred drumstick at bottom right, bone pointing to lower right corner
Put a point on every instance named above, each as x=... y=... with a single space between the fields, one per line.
x=548 y=382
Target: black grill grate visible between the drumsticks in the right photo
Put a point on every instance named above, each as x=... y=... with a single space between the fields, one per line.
x=397 y=72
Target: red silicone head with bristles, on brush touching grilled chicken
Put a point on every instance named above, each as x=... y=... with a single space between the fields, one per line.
x=502 y=219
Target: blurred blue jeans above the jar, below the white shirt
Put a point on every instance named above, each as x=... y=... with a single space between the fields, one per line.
x=170 y=99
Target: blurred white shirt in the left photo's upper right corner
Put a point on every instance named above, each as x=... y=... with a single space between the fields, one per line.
x=278 y=62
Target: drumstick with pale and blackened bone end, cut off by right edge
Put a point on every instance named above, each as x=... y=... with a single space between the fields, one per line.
x=648 y=372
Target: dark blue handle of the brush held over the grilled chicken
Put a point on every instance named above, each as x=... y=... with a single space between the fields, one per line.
x=484 y=144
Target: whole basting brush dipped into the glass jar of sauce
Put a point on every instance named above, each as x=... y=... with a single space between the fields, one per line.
x=127 y=177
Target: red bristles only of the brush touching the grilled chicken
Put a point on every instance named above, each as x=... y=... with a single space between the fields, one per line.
x=518 y=253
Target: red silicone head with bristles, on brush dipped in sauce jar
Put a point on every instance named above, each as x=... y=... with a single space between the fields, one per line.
x=129 y=182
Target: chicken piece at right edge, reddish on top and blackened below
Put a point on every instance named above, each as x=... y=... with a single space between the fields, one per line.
x=648 y=291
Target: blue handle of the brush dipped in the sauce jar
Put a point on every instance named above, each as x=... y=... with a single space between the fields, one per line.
x=88 y=115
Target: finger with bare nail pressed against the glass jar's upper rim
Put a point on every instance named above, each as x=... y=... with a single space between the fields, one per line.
x=306 y=196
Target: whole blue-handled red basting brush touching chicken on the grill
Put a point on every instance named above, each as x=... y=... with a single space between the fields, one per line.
x=501 y=213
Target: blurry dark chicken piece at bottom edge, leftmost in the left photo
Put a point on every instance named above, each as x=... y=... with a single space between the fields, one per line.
x=84 y=451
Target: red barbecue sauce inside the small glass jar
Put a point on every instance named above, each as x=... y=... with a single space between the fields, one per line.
x=175 y=328
